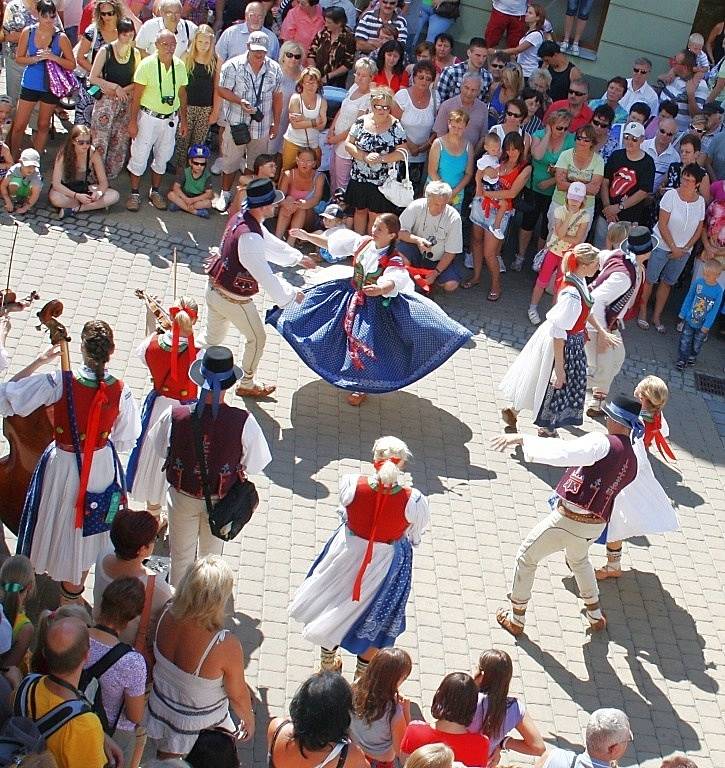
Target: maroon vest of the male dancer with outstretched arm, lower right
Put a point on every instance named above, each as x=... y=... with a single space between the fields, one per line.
x=594 y=488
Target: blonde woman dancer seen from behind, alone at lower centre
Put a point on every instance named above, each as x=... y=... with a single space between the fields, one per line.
x=355 y=595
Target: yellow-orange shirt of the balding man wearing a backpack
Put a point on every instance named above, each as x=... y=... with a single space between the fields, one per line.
x=77 y=743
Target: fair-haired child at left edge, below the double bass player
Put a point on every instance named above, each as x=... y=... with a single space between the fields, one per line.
x=17 y=584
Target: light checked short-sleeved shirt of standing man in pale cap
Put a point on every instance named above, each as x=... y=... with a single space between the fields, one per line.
x=237 y=76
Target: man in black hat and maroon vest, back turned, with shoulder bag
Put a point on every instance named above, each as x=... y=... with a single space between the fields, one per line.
x=234 y=447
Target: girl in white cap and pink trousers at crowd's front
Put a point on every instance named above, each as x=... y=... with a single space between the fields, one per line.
x=571 y=223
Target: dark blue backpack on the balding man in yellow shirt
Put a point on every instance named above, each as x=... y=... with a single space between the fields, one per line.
x=23 y=733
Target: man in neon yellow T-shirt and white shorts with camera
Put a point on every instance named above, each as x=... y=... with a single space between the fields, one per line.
x=158 y=106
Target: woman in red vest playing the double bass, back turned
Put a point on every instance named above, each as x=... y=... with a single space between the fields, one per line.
x=78 y=484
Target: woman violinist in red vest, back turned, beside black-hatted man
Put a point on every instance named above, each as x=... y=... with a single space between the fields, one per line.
x=168 y=357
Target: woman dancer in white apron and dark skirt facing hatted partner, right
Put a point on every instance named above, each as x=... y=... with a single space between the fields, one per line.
x=549 y=377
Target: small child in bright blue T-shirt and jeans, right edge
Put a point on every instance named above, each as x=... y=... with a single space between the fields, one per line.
x=698 y=313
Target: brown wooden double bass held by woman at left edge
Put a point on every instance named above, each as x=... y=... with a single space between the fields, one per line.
x=29 y=435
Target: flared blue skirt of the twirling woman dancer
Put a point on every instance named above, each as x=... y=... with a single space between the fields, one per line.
x=368 y=344
